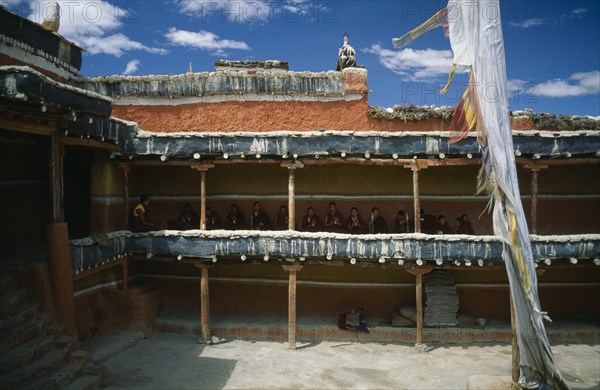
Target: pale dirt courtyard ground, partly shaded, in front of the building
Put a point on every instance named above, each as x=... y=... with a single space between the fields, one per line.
x=170 y=361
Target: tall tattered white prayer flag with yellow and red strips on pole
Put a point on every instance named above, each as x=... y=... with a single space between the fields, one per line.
x=475 y=33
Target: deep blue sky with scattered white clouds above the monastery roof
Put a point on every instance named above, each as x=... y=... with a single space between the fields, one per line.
x=552 y=47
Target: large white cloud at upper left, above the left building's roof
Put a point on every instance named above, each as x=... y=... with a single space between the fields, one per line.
x=90 y=23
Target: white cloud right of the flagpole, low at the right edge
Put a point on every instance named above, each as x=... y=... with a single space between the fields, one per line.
x=578 y=84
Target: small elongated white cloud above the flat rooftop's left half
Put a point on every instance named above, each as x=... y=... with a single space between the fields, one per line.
x=203 y=40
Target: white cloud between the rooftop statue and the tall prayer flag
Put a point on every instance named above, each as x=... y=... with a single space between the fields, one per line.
x=414 y=64
